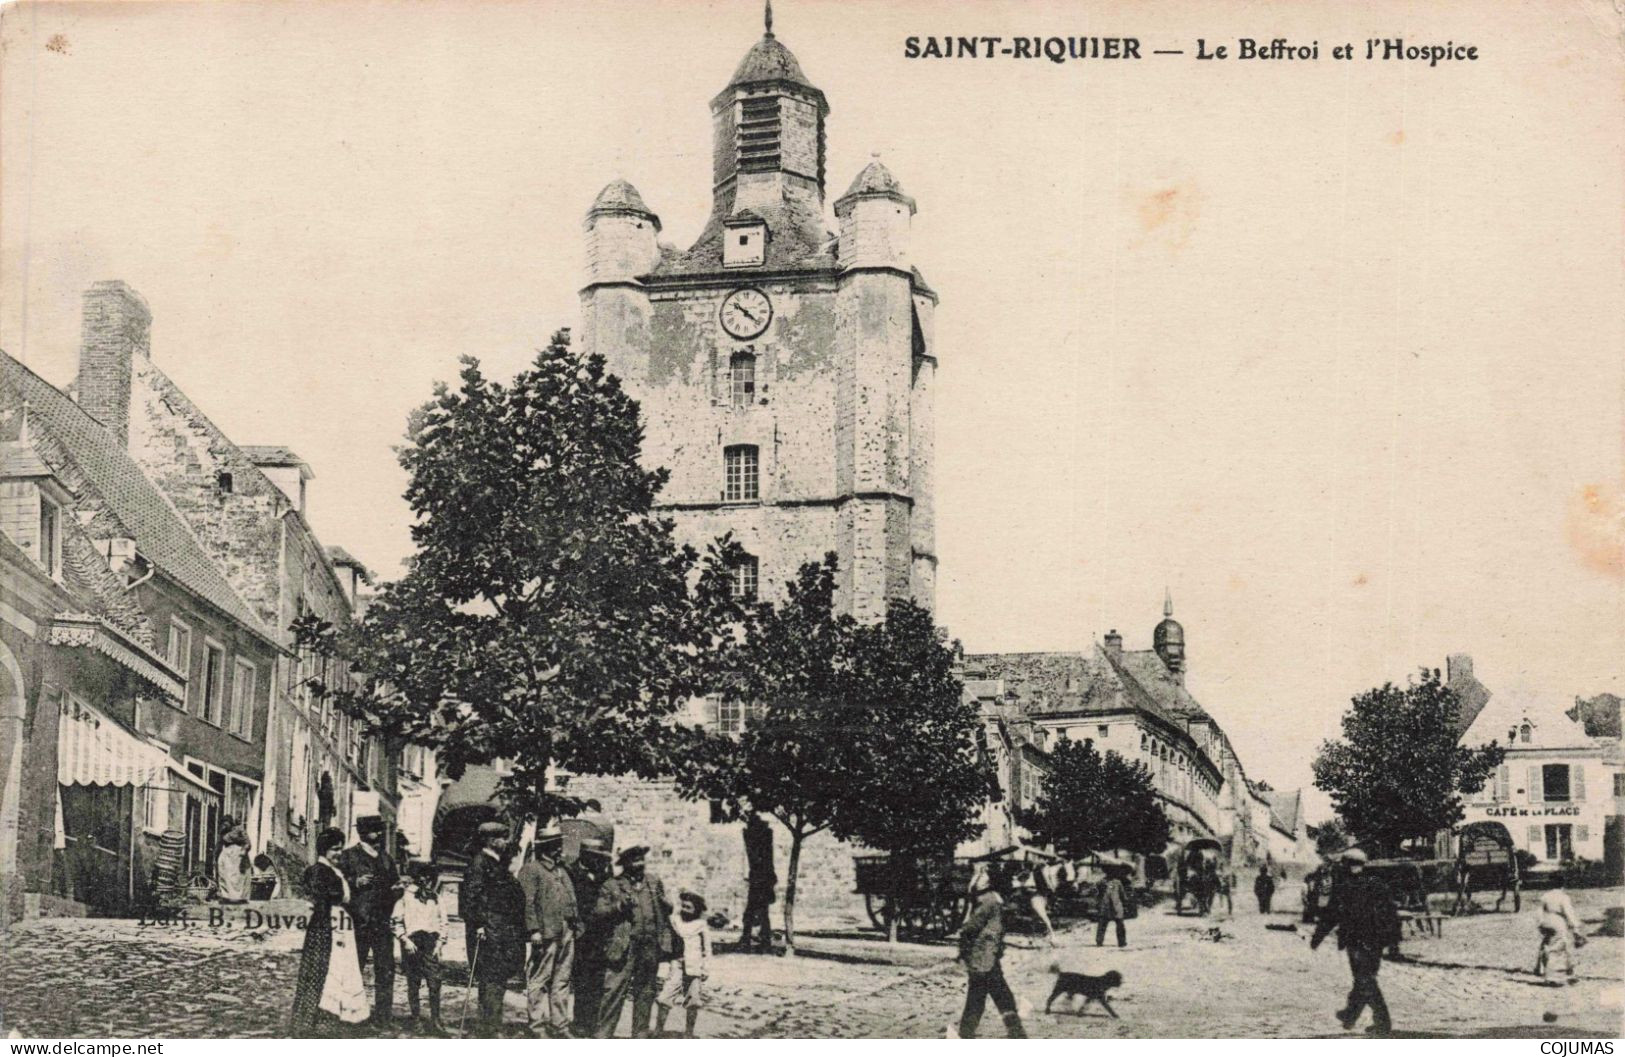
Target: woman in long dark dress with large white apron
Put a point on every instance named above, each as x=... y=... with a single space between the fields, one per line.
x=329 y=892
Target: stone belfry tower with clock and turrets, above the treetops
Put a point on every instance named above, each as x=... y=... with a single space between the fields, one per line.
x=786 y=372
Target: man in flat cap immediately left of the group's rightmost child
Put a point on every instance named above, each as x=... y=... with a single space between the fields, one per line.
x=638 y=918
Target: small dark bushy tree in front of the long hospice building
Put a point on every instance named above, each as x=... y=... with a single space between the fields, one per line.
x=1096 y=803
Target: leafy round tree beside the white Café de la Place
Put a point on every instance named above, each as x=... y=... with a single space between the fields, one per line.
x=1398 y=773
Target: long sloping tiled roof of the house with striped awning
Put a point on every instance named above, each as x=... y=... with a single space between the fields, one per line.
x=160 y=533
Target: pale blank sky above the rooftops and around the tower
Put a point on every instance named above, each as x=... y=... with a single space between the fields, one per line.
x=1330 y=350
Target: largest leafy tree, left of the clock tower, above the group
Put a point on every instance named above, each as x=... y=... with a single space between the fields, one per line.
x=547 y=617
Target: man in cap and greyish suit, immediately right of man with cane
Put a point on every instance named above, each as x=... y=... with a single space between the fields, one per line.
x=553 y=924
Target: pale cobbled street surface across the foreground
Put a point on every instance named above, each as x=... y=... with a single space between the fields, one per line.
x=116 y=978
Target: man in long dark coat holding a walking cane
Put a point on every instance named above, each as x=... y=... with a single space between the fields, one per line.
x=493 y=908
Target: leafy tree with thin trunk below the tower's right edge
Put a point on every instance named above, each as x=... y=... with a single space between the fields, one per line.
x=924 y=778
